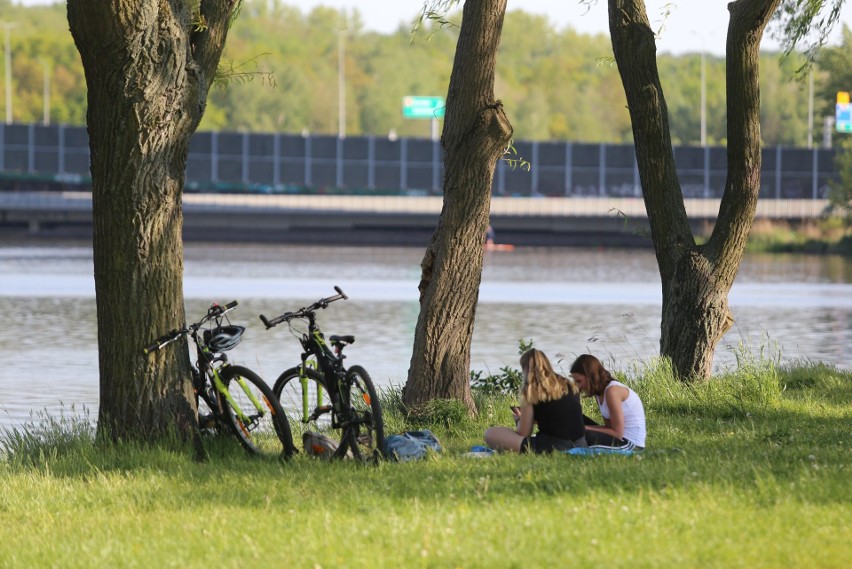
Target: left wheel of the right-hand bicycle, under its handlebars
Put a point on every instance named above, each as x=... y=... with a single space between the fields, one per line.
x=307 y=404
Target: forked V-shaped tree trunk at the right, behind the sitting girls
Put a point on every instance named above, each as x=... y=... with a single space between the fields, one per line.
x=695 y=280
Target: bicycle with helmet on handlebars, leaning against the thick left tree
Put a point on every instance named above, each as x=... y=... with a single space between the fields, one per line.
x=230 y=397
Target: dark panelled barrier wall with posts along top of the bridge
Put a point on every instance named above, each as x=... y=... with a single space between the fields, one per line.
x=229 y=162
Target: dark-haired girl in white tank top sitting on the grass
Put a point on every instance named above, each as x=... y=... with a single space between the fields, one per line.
x=621 y=408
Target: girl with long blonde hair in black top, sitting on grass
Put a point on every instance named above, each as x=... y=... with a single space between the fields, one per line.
x=548 y=399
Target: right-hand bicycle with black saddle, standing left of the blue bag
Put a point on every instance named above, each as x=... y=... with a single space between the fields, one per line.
x=323 y=395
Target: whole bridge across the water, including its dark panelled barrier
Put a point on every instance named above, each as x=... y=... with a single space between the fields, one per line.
x=287 y=187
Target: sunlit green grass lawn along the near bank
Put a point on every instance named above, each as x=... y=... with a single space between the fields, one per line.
x=750 y=469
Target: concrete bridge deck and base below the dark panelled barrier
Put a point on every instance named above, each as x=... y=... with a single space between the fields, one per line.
x=383 y=220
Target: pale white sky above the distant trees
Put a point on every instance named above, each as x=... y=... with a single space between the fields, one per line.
x=691 y=26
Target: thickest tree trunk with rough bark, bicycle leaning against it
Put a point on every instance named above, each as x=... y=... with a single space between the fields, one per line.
x=148 y=67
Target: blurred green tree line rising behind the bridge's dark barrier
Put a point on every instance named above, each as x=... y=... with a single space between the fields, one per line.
x=279 y=73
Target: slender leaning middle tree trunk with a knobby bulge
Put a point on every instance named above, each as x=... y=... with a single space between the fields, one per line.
x=476 y=134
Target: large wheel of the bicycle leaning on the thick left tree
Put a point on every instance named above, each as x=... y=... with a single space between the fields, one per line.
x=254 y=413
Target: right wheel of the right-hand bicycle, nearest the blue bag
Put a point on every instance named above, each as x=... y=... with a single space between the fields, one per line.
x=364 y=431
